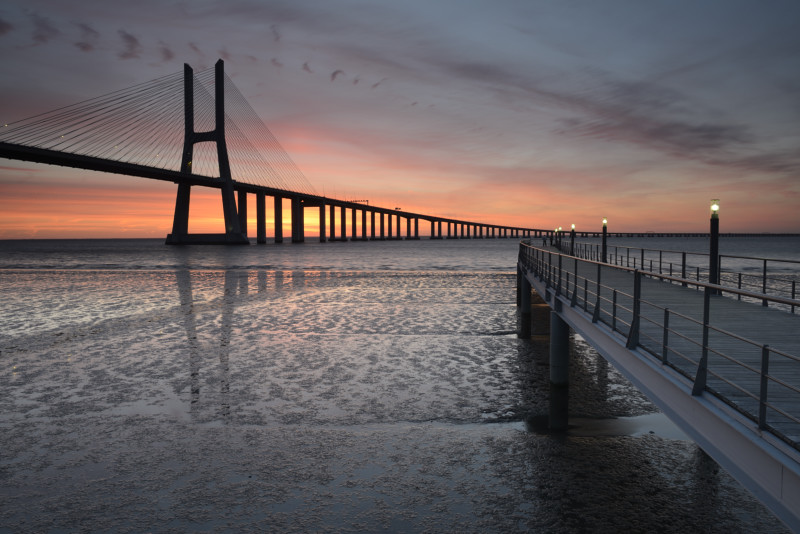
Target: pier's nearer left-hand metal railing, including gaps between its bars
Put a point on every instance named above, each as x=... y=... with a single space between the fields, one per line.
x=705 y=343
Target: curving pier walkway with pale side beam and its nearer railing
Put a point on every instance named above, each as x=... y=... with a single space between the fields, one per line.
x=730 y=381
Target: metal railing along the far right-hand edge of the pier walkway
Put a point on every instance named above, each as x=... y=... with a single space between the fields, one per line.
x=758 y=275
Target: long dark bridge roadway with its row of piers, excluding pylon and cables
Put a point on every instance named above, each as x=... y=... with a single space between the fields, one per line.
x=453 y=228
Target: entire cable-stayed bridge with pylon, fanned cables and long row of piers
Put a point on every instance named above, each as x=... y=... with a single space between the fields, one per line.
x=199 y=130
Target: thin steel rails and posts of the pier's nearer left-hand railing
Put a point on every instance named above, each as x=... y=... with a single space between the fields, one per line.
x=555 y=268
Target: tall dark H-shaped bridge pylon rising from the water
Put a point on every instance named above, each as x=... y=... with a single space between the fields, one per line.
x=180 y=225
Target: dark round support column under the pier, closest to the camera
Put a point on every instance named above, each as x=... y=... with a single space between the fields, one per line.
x=559 y=373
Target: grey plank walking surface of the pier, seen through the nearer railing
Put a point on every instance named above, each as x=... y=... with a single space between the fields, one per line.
x=738 y=331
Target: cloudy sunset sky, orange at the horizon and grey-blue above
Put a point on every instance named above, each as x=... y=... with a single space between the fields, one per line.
x=521 y=112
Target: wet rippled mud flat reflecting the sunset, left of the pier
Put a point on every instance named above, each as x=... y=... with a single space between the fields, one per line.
x=322 y=401
